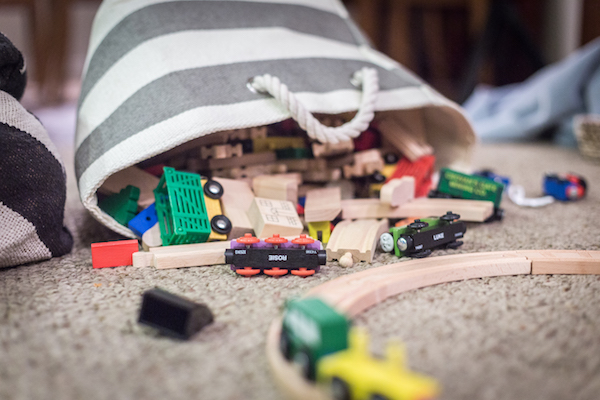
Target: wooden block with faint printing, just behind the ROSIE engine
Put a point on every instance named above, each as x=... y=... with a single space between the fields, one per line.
x=274 y=216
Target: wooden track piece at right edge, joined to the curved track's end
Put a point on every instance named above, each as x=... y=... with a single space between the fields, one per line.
x=563 y=261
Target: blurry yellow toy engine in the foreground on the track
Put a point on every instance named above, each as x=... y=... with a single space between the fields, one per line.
x=353 y=374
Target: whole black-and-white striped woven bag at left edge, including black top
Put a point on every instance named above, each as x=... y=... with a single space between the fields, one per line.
x=32 y=176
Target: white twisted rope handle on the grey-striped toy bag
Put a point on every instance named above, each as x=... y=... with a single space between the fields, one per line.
x=366 y=77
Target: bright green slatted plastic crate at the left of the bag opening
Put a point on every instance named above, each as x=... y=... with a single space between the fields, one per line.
x=180 y=207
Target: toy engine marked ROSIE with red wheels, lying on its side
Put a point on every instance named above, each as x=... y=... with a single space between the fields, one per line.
x=275 y=256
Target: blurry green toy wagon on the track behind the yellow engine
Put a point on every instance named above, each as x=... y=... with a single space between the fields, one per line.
x=310 y=330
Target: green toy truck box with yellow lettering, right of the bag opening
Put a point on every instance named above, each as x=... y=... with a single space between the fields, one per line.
x=454 y=184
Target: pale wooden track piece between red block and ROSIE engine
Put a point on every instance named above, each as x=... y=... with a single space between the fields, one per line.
x=190 y=255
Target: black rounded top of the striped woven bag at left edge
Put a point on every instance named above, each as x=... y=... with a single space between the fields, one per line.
x=13 y=75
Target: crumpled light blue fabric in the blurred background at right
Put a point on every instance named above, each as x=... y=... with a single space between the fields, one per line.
x=549 y=98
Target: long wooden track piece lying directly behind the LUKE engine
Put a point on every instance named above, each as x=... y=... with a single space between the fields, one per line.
x=469 y=210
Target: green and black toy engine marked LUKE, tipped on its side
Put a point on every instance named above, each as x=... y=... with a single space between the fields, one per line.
x=419 y=238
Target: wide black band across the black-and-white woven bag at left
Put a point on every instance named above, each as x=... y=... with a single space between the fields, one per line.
x=33 y=184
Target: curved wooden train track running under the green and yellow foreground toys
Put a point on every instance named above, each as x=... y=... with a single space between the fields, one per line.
x=352 y=294
